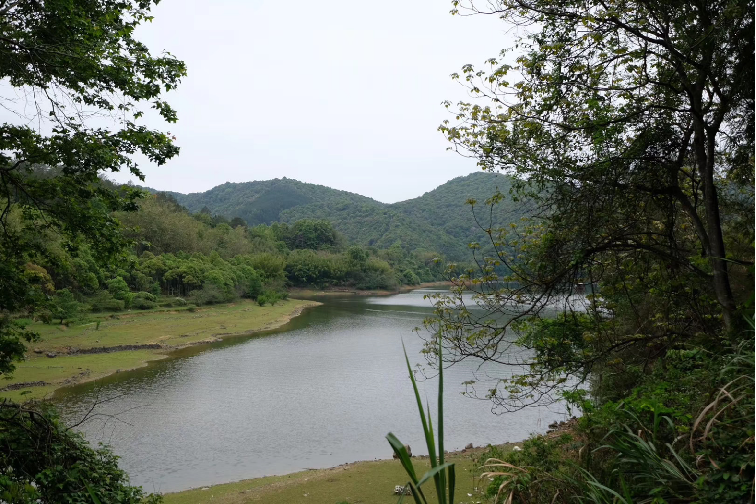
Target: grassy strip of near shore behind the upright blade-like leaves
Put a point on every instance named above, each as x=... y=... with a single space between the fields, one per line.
x=369 y=482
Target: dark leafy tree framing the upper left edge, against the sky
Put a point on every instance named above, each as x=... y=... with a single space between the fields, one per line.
x=67 y=61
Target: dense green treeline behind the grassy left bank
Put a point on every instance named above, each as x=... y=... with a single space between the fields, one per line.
x=180 y=258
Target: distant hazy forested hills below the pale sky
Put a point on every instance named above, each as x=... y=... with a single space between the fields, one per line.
x=438 y=221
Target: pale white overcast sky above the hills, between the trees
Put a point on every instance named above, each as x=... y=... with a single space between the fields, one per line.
x=340 y=93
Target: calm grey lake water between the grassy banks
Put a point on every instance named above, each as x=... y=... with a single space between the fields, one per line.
x=322 y=391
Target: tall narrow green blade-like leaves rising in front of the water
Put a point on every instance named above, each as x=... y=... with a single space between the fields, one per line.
x=441 y=472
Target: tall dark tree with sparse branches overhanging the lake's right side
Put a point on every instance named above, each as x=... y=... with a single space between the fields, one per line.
x=630 y=124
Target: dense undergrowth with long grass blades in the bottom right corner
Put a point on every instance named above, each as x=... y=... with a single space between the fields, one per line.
x=685 y=434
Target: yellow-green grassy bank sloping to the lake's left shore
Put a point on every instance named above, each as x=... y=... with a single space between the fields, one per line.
x=170 y=329
